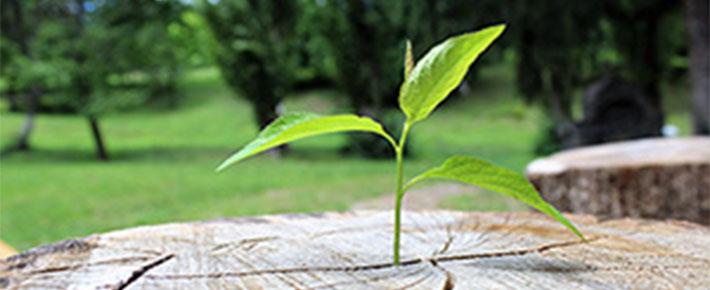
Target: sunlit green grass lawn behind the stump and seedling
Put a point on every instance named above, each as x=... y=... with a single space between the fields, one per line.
x=163 y=161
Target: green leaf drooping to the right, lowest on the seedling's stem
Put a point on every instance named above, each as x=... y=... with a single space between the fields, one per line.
x=488 y=176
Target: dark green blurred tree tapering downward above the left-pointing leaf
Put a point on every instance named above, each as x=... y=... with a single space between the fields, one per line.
x=257 y=50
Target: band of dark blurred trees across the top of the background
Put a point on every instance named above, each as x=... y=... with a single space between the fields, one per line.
x=92 y=57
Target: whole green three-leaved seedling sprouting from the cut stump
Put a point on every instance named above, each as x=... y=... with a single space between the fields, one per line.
x=425 y=86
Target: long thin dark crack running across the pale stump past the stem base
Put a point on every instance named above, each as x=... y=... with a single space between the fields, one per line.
x=368 y=267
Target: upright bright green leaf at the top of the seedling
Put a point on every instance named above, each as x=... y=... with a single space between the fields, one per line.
x=441 y=70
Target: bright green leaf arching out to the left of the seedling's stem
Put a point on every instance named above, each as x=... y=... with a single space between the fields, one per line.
x=294 y=126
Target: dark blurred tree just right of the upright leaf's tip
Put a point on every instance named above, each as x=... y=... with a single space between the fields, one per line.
x=555 y=41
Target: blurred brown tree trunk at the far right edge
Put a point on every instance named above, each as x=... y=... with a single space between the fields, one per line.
x=697 y=23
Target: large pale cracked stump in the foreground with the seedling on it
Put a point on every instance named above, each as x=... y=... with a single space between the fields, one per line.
x=352 y=250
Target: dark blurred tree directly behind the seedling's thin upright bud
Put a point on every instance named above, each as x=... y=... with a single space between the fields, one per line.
x=367 y=39
